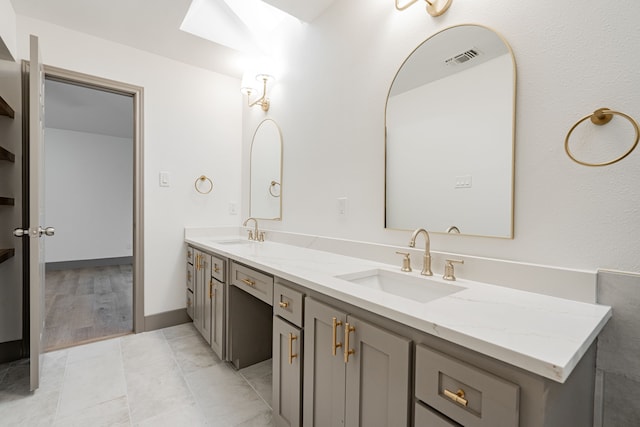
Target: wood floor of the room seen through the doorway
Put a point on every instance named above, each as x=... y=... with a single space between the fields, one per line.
x=86 y=304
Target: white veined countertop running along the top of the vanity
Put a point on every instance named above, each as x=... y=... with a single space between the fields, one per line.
x=541 y=334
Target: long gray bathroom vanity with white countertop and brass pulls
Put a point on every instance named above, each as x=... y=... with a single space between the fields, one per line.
x=350 y=348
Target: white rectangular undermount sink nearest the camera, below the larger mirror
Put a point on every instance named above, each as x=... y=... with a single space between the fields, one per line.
x=422 y=289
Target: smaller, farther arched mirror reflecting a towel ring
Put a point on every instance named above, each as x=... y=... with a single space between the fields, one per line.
x=265 y=200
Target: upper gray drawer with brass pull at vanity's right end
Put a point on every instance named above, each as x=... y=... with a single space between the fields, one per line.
x=464 y=393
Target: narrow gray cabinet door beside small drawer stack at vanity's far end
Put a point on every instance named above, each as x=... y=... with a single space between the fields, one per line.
x=203 y=285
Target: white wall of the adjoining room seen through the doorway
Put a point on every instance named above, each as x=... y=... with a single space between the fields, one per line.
x=89 y=195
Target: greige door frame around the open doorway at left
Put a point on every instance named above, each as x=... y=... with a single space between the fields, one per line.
x=137 y=93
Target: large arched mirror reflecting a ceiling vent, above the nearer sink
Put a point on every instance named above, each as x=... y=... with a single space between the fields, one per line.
x=450 y=136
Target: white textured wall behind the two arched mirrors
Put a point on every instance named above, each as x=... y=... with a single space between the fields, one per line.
x=572 y=57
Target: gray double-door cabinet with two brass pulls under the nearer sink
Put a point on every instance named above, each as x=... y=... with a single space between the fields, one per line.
x=355 y=373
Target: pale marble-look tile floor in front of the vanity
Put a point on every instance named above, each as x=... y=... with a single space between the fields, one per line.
x=168 y=377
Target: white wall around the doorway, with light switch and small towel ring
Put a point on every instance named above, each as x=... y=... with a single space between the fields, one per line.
x=192 y=126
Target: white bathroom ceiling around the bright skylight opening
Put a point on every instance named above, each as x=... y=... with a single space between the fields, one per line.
x=154 y=26
